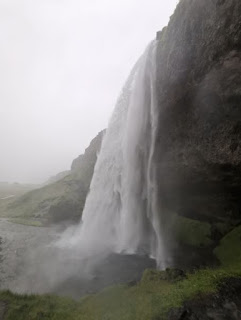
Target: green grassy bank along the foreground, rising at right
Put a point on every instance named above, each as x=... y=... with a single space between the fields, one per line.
x=149 y=299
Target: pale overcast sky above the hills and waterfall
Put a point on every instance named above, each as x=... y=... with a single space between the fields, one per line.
x=62 y=66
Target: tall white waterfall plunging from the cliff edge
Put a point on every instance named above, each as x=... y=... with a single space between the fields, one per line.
x=120 y=213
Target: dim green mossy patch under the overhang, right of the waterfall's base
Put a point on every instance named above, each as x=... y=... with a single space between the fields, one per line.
x=191 y=232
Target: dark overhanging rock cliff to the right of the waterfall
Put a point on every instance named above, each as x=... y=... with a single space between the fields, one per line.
x=198 y=150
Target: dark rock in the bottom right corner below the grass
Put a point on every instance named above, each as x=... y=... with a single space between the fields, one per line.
x=224 y=305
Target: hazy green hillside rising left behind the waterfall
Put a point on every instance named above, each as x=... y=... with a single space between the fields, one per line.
x=63 y=199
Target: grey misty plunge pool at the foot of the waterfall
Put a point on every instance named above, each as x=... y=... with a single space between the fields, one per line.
x=29 y=262
